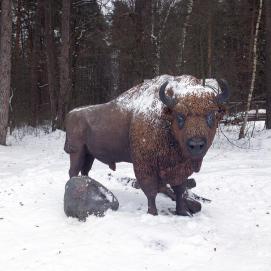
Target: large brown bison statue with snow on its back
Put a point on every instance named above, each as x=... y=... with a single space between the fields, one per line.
x=163 y=126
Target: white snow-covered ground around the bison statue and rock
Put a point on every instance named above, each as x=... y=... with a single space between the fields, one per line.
x=231 y=233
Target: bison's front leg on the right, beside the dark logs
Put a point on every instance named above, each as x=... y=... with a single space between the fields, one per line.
x=181 y=203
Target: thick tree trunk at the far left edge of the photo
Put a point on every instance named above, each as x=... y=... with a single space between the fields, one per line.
x=5 y=67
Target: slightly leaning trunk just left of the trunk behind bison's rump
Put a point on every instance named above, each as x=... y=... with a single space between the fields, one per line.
x=51 y=60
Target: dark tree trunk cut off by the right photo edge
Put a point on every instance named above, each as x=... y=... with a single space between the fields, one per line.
x=268 y=62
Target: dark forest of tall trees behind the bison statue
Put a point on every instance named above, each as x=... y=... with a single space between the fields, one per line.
x=68 y=53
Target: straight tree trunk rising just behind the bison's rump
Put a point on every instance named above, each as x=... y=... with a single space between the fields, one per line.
x=64 y=65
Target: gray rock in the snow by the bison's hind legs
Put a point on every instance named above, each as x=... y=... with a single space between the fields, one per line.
x=85 y=196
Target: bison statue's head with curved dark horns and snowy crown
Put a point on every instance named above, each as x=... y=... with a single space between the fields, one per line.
x=194 y=115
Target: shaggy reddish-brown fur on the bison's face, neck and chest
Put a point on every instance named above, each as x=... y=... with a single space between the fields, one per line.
x=162 y=158
